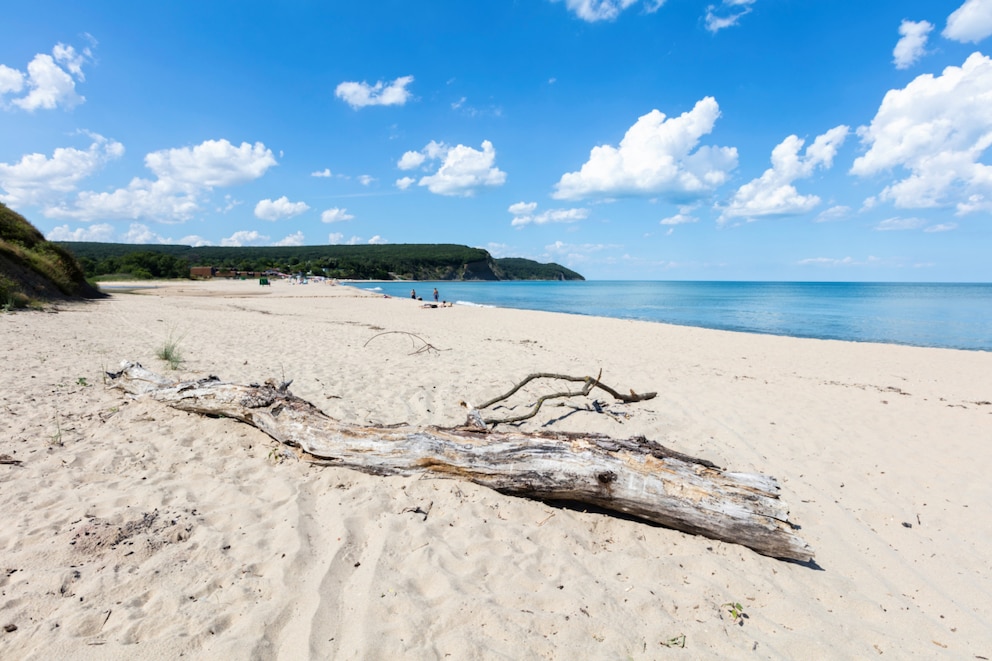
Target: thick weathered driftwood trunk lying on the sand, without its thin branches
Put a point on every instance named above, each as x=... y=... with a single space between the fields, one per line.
x=634 y=476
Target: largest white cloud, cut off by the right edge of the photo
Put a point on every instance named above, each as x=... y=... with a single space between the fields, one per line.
x=937 y=129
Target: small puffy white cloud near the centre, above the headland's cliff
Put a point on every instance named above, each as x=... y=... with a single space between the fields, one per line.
x=462 y=170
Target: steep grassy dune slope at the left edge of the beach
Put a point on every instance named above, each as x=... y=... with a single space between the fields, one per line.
x=33 y=270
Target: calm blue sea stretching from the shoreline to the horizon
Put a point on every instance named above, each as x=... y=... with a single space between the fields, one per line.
x=944 y=315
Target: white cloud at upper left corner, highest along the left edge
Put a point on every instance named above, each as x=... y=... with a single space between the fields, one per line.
x=50 y=80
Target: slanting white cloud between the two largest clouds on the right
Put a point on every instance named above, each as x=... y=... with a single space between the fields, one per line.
x=772 y=194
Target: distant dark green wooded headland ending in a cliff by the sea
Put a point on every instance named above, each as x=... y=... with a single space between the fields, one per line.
x=369 y=262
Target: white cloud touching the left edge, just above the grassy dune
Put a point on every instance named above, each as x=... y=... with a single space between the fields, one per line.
x=37 y=179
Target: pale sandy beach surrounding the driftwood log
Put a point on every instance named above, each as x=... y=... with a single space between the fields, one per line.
x=135 y=531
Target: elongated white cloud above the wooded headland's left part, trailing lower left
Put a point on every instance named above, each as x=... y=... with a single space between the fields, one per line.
x=185 y=175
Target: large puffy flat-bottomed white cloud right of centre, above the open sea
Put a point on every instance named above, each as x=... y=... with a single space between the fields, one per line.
x=656 y=157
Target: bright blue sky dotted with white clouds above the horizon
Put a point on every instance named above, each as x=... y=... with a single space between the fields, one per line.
x=627 y=139
